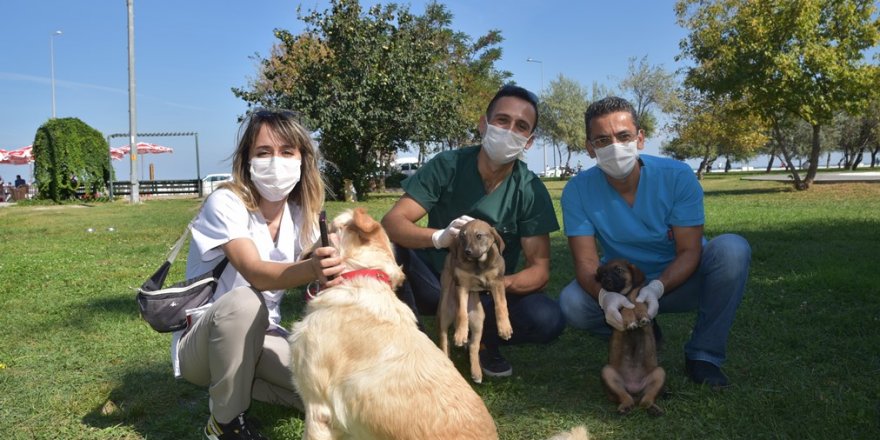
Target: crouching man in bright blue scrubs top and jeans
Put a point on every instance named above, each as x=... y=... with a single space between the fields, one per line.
x=649 y=210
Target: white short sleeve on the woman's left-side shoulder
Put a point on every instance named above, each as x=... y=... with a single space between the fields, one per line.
x=223 y=218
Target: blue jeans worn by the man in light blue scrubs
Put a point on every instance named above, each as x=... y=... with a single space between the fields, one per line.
x=715 y=290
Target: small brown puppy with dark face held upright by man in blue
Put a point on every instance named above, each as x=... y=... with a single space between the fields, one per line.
x=632 y=368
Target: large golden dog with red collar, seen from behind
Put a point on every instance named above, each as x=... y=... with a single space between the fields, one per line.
x=361 y=365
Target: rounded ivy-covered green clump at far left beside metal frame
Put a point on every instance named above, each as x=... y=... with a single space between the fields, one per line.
x=68 y=155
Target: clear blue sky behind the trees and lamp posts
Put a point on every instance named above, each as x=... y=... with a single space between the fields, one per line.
x=189 y=54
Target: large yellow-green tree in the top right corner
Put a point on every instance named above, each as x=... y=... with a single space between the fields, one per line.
x=804 y=58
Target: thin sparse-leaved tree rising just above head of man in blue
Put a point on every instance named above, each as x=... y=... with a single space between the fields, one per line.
x=650 y=86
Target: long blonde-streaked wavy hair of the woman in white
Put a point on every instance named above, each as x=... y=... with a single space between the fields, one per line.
x=308 y=193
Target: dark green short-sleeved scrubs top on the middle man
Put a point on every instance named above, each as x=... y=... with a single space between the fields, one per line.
x=449 y=186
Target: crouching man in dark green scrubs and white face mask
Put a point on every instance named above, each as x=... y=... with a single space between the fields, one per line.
x=486 y=182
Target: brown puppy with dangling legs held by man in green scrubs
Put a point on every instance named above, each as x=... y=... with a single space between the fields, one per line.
x=474 y=265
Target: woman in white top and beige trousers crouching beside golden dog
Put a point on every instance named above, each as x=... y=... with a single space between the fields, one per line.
x=261 y=221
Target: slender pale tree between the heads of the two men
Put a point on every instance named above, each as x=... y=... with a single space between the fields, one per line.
x=562 y=117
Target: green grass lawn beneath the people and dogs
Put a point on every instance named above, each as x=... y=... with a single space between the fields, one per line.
x=76 y=361
